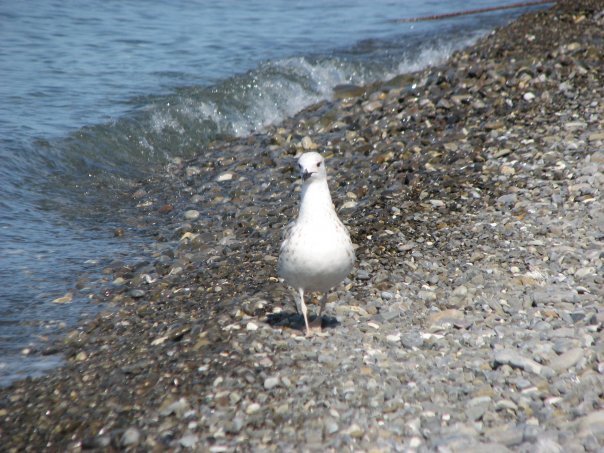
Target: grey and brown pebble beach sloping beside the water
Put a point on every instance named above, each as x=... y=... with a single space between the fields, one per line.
x=472 y=322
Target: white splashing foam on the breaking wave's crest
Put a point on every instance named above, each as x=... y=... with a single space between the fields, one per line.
x=250 y=102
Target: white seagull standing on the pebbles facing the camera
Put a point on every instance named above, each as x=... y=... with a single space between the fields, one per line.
x=317 y=253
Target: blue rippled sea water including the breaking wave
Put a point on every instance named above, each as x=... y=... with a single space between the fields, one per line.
x=96 y=95
